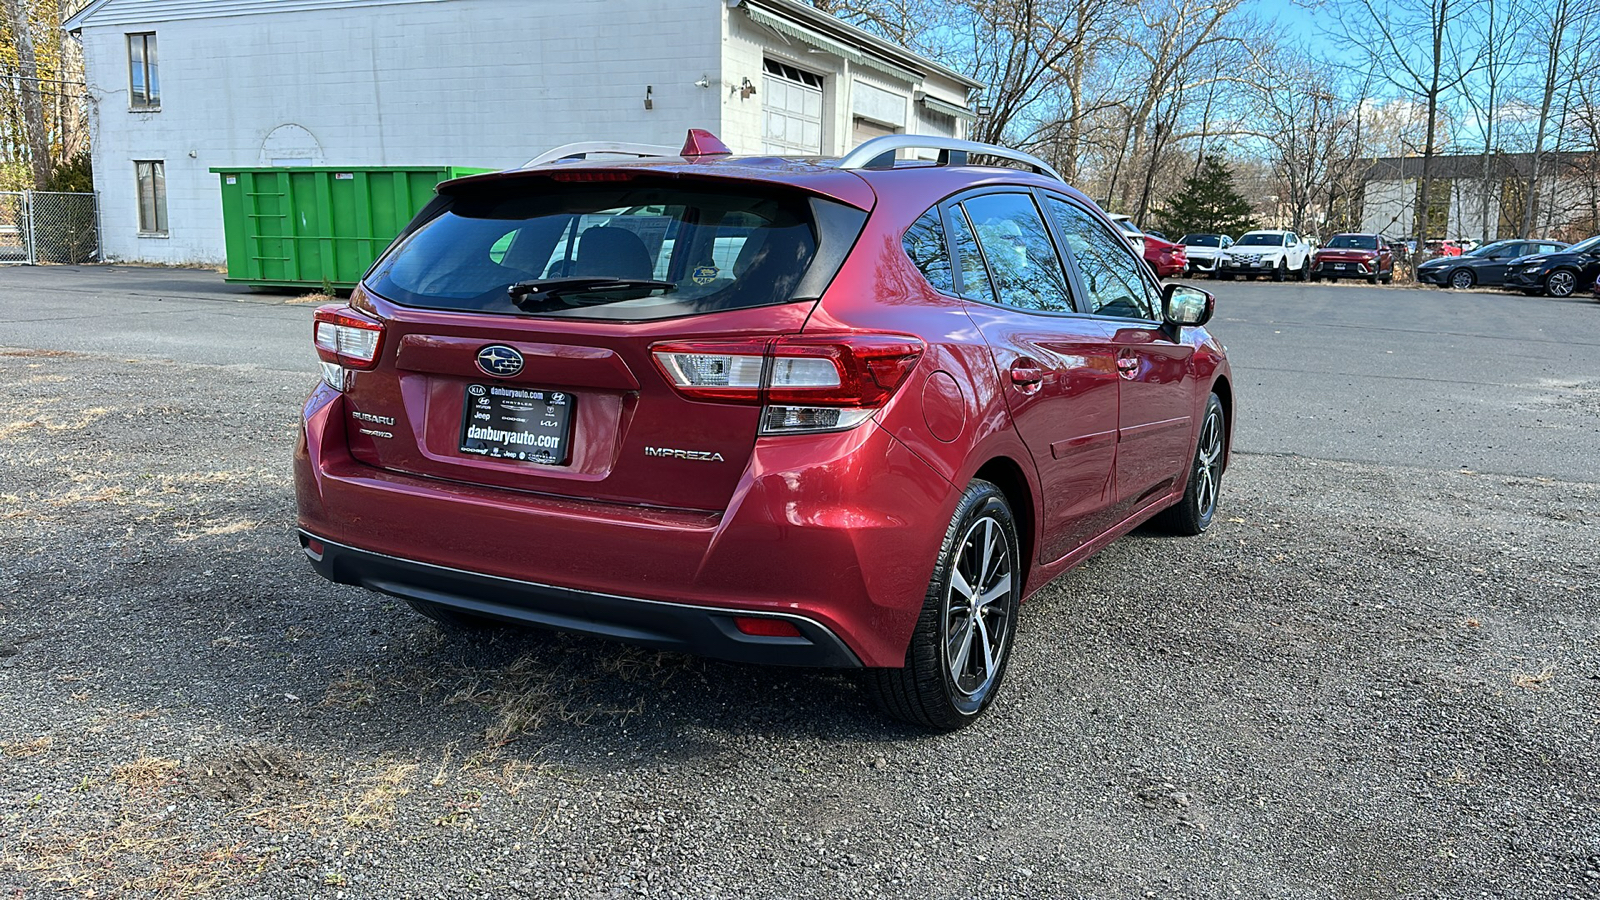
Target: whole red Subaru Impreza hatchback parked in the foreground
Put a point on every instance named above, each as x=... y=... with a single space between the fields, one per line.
x=806 y=412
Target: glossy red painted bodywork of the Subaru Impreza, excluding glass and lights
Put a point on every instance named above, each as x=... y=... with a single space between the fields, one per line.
x=841 y=529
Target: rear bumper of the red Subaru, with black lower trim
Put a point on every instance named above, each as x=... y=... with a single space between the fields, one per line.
x=841 y=531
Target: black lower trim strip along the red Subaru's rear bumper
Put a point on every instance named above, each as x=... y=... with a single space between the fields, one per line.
x=705 y=632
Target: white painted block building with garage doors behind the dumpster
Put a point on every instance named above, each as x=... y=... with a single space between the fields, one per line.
x=180 y=87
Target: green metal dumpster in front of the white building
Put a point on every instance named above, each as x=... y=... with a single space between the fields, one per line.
x=319 y=227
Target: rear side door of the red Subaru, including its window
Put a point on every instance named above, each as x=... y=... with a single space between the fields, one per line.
x=1055 y=366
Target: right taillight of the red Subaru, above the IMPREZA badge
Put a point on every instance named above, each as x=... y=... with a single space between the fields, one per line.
x=806 y=384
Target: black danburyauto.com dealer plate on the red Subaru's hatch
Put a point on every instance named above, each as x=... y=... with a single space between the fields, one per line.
x=518 y=424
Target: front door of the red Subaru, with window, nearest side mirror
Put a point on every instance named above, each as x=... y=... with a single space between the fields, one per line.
x=1156 y=392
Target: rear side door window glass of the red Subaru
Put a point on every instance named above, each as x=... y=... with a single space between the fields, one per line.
x=1023 y=262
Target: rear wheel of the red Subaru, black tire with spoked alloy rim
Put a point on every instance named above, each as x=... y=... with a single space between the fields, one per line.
x=929 y=691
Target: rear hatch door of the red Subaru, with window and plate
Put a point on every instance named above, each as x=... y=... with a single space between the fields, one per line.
x=522 y=313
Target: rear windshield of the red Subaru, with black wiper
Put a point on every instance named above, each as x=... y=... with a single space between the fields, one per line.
x=671 y=251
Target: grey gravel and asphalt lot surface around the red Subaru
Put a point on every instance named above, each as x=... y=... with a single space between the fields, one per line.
x=1370 y=680
